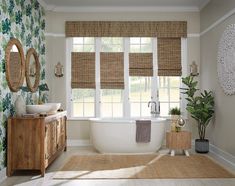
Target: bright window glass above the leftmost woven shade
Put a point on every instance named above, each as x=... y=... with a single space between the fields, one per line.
x=83 y=44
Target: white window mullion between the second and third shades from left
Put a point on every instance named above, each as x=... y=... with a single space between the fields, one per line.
x=126 y=100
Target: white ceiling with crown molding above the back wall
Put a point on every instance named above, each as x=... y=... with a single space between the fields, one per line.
x=122 y=5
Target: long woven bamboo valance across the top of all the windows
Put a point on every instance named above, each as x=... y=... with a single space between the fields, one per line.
x=163 y=29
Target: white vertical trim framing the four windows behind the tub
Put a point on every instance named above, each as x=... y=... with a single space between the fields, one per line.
x=126 y=101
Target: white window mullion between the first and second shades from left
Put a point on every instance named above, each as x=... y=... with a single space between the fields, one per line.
x=97 y=76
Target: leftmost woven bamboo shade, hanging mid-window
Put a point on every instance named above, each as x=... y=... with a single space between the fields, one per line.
x=83 y=70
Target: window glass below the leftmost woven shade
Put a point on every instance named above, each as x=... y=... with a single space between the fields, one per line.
x=83 y=102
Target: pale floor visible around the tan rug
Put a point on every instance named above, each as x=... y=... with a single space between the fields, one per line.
x=23 y=179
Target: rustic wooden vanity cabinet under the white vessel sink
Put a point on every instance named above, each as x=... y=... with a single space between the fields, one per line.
x=33 y=143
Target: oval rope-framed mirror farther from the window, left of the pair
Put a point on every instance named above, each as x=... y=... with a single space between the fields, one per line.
x=15 y=64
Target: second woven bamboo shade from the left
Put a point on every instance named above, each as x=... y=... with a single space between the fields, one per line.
x=112 y=70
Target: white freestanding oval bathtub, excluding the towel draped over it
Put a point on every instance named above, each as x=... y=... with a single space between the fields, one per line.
x=119 y=136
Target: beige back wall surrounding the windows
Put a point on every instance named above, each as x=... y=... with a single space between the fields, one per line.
x=56 y=50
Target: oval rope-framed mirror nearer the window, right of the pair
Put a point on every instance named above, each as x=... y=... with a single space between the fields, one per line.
x=32 y=71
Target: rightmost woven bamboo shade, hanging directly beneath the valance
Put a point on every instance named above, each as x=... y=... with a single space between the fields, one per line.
x=169 y=57
